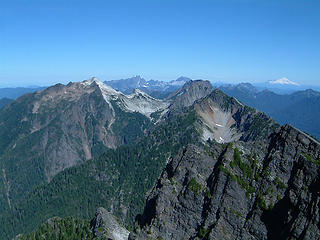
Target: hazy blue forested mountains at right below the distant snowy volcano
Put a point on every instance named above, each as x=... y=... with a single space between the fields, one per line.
x=301 y=108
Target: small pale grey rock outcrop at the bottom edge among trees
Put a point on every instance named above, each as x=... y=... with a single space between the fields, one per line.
x=105 y=226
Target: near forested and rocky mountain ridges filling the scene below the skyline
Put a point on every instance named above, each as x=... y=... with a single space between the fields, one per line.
x=196 y=164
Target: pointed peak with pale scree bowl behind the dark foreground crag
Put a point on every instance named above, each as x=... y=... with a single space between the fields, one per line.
x=225 y=119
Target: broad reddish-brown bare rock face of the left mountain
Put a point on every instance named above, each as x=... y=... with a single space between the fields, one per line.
x=70 y=120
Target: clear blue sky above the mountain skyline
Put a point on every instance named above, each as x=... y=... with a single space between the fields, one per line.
x=47 y=41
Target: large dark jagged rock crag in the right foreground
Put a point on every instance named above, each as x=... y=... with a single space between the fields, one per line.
x=245 y=190
